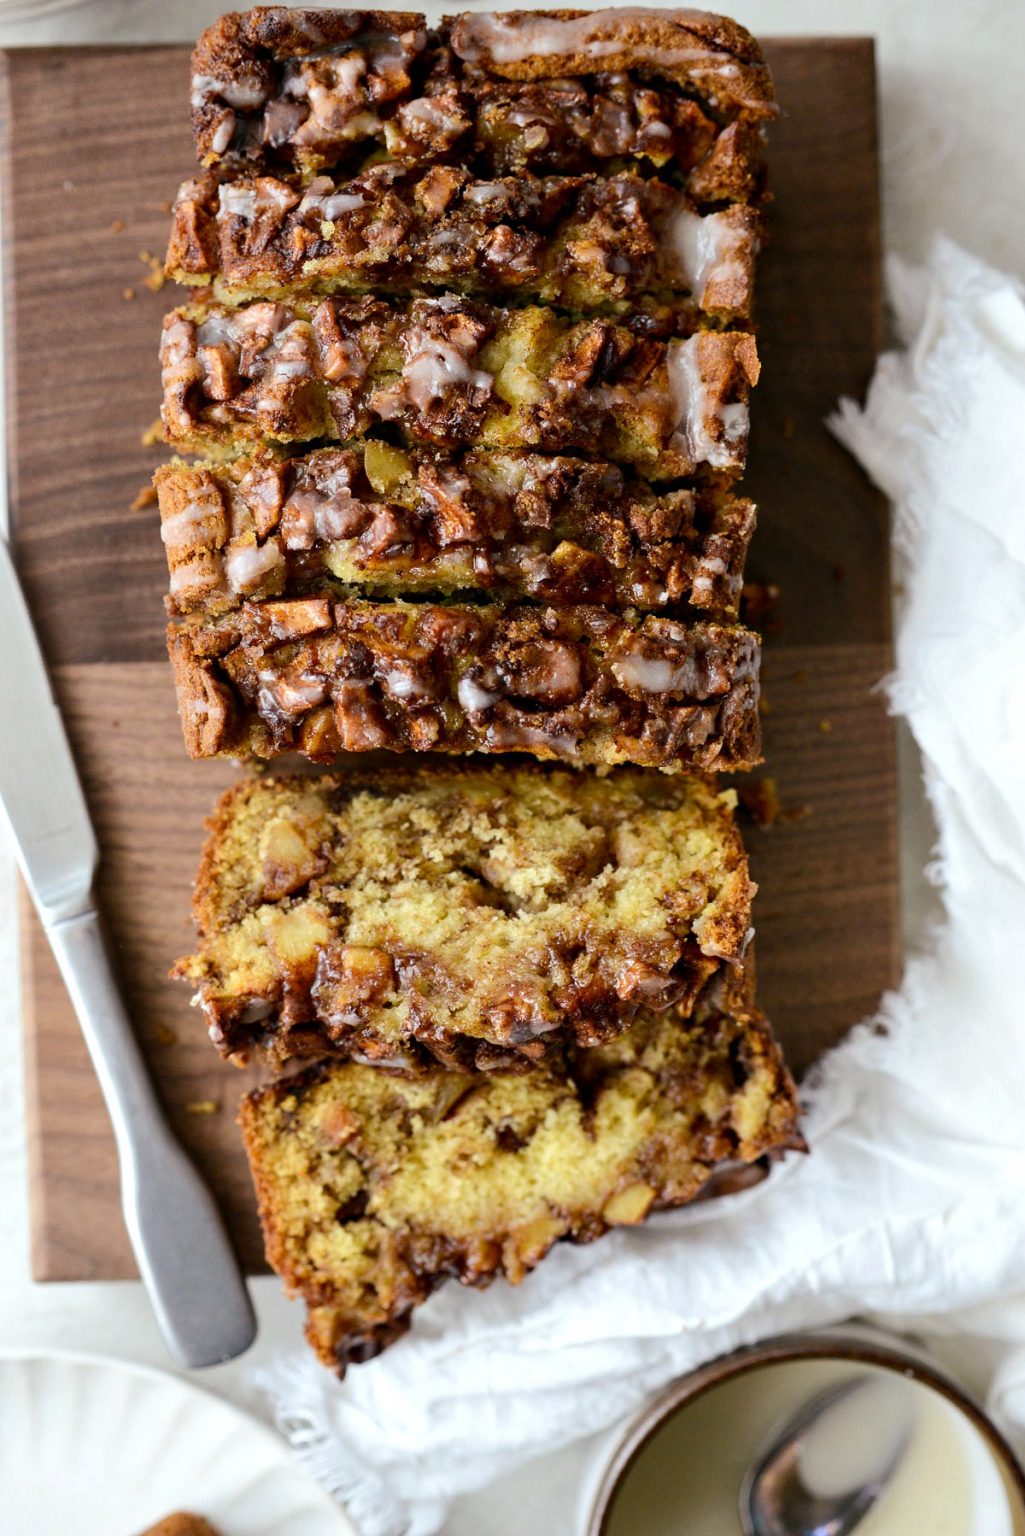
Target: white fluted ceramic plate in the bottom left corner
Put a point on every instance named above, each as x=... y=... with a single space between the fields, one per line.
x=99 y=1448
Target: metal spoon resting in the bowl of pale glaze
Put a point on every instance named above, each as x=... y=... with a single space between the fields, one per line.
x=775 y=1500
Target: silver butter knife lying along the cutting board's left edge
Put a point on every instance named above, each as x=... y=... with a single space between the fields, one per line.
x=177 y=1234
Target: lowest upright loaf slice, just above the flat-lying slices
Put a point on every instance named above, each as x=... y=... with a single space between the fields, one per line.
x=323 y=677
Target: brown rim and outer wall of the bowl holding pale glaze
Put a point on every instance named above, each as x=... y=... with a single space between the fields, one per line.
x=849 y=1346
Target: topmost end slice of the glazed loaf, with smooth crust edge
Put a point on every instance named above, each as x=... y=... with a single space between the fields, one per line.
x=302 y=90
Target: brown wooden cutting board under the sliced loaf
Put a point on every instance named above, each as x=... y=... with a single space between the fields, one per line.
x=96 y=144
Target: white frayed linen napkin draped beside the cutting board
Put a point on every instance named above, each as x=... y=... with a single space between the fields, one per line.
x=912 y=1207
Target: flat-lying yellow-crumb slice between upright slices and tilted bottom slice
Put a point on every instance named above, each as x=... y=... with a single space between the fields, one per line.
x=480 y=916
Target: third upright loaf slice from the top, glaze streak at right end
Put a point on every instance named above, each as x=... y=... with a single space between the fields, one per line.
x=457 y=374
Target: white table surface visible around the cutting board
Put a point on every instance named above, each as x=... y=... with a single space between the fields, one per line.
x=954 y=161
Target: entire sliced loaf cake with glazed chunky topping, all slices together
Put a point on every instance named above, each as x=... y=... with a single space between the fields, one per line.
x=466 y=365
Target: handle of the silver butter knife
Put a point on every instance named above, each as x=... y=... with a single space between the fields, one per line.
x=177 y=1234
